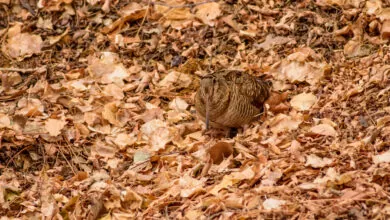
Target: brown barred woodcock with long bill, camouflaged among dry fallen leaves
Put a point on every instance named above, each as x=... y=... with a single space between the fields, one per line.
x=230 y=99
